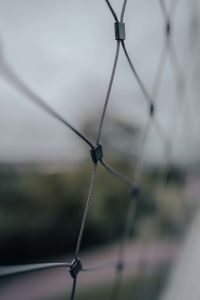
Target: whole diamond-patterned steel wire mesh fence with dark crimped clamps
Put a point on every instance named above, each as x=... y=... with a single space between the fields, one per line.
x=96 y=149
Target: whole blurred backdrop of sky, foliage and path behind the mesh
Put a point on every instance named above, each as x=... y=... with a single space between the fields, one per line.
x=63 y=50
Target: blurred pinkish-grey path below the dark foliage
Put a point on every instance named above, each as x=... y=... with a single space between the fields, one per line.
x=52 y=283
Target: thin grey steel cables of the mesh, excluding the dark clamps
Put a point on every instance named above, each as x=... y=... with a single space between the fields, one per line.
x=167 y=50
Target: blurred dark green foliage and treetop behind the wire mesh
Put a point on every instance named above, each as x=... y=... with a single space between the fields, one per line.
x=40 y=212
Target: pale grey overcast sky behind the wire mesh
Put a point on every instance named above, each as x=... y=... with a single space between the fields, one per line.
x=64 y=51
